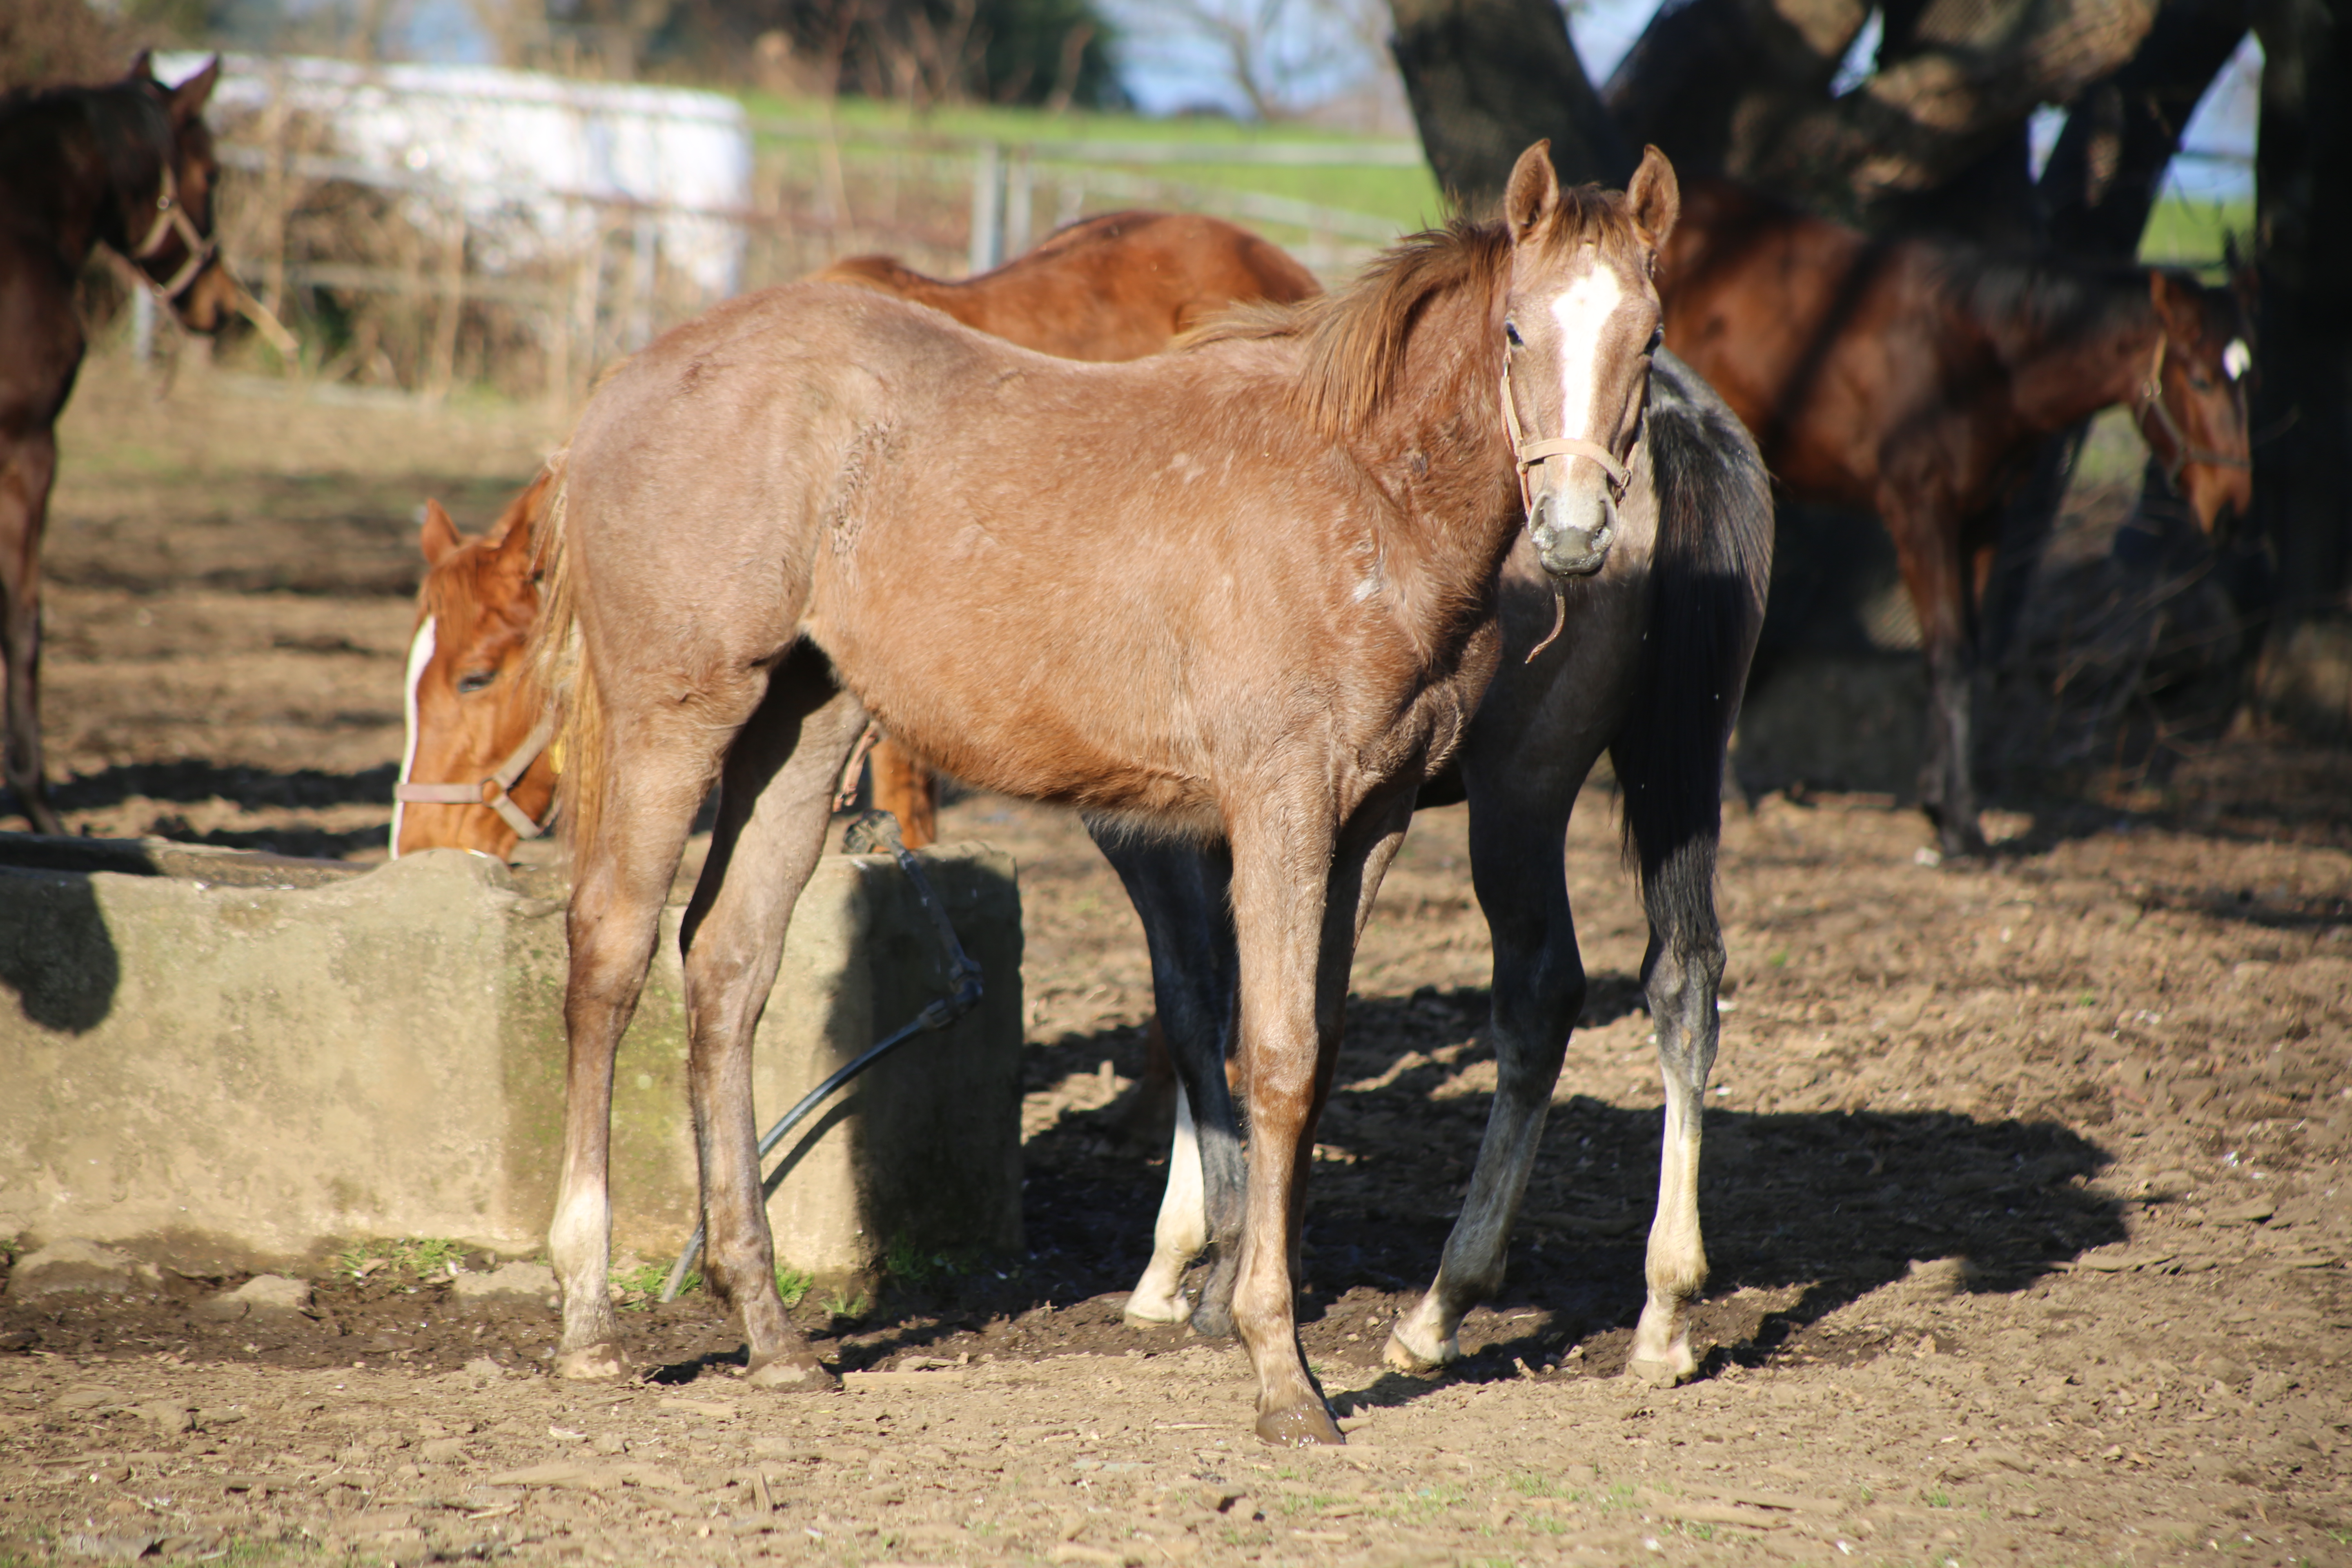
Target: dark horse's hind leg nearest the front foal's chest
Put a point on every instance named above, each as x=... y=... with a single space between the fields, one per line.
x=1539 y=991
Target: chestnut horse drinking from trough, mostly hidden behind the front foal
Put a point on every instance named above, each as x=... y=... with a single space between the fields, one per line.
x=1111 y=288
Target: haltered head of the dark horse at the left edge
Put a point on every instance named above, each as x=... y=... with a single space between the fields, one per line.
x=168 y=203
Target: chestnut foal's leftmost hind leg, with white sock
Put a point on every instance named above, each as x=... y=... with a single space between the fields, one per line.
x=620 y=883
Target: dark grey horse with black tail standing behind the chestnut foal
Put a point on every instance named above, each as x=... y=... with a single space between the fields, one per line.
x=1650 y=664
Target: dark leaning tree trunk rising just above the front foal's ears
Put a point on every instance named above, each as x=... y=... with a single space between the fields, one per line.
x=1492 y=76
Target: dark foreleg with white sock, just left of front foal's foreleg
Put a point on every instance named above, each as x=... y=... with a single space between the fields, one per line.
x=1182 y=897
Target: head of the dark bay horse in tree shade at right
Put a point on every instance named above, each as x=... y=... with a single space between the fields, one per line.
x=2193 y=401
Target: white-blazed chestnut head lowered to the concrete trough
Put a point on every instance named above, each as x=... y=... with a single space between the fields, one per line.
x=479 y=768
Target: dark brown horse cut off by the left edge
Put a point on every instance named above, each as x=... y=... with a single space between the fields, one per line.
x=131 y=168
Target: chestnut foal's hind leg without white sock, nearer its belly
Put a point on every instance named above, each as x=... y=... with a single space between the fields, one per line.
x=775 y=803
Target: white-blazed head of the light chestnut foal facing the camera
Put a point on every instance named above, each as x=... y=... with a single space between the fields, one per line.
x=1579 y=326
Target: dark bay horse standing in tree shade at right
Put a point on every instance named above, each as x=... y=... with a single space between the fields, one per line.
x=1918 y=380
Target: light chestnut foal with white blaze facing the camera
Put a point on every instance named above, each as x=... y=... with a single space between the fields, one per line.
x=1269 y=626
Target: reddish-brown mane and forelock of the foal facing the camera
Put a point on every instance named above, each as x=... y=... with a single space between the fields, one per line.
x=1356 y=337
